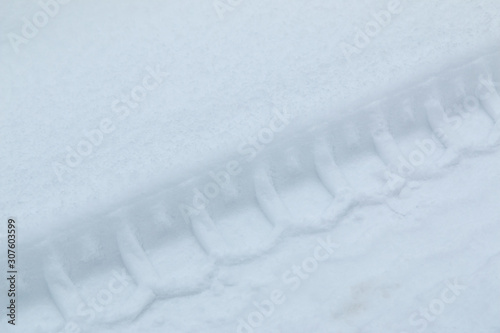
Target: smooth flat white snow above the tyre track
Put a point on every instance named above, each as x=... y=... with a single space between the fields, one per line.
x=225 y=77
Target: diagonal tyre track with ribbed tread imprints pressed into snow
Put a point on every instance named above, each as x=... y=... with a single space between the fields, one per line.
x=402 y=140
